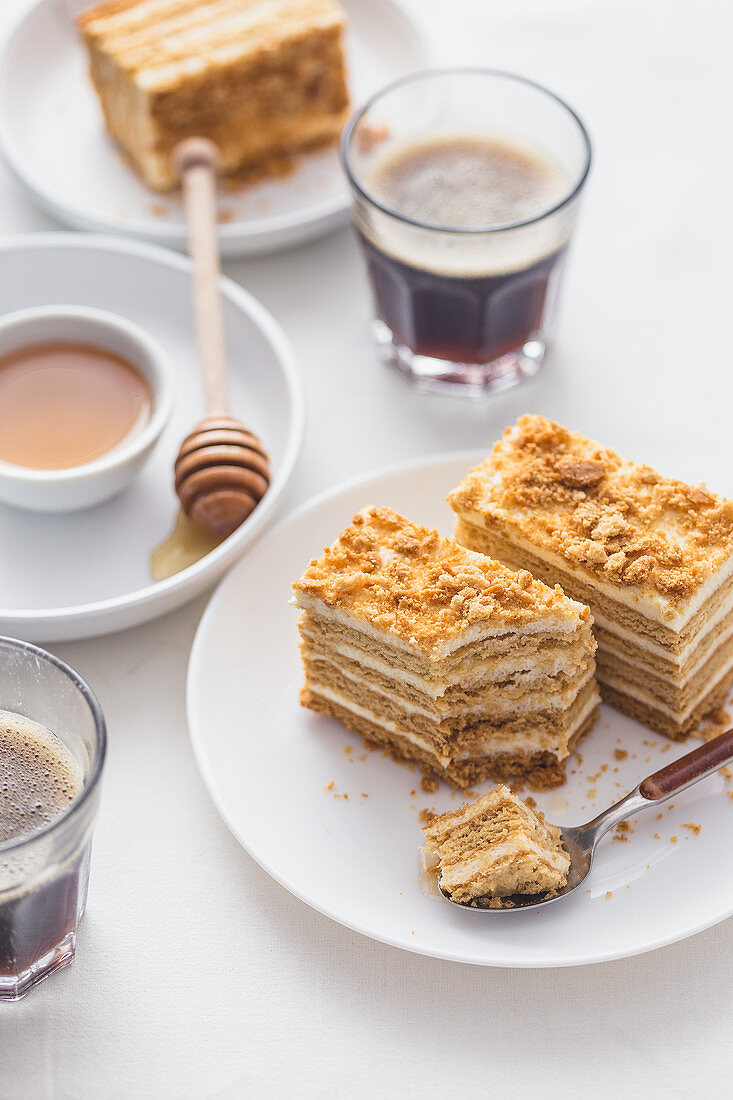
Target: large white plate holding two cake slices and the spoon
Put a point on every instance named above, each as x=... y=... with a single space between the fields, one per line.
x=280 y=777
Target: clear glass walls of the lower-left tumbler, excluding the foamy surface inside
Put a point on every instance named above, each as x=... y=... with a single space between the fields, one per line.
x=45 y=876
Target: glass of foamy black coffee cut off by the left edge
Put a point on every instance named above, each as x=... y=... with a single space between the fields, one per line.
x=52 y=752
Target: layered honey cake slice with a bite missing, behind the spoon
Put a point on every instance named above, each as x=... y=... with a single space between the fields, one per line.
x=443 y=656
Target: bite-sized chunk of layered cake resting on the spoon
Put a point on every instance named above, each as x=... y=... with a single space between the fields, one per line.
x=495 y=849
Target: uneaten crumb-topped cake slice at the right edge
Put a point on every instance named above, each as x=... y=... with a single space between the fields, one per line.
x=651 y=556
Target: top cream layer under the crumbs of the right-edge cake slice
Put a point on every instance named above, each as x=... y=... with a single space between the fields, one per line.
x=674 y=617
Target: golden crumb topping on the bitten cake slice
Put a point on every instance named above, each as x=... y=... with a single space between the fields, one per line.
x=425 y=590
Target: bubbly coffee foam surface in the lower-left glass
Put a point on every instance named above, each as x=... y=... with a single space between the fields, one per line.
x=39 y=776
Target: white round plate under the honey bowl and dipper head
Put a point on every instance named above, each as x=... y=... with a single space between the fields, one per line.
x=85 y=574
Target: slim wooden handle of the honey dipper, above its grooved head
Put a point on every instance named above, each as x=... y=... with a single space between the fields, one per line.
x=196 y=160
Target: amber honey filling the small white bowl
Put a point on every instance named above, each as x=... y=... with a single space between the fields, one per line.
x=64 y=405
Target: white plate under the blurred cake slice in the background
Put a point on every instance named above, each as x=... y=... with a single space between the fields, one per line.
x=52 y=133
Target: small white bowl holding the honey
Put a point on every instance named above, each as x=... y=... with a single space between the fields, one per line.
x=83 y=487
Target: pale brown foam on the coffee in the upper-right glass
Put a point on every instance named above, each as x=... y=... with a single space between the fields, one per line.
x=500 y=184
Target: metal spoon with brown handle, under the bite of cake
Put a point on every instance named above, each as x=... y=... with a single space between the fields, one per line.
x=582 y=841
